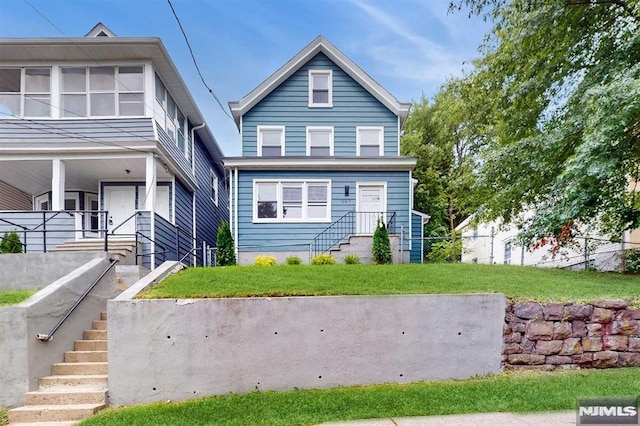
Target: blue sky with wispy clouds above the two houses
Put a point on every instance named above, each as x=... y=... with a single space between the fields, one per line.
x=410 y=47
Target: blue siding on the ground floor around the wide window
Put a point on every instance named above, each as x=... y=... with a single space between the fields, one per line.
x=270 y=234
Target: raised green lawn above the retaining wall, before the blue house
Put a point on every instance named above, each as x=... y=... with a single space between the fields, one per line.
x=523 y=283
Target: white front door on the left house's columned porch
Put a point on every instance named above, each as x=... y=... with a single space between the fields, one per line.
x=120 y=202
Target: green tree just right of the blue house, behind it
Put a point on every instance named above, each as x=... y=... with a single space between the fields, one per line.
x=446 y=151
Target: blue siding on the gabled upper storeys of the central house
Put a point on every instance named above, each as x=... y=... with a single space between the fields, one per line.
x=288 y=106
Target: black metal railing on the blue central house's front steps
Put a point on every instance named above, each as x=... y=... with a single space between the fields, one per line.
x=352 y=223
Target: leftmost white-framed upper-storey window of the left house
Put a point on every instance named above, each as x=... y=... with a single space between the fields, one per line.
x=25 y=92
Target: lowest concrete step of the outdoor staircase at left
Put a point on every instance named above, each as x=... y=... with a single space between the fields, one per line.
x=48 y=413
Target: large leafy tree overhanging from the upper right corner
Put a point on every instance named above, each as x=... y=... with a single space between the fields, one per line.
x=555 y=102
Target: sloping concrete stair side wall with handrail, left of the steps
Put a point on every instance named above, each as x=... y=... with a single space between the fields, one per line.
x=23 y=358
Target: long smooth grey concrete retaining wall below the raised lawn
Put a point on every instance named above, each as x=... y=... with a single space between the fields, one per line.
x=178 y=349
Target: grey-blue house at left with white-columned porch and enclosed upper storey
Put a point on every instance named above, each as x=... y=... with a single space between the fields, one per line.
x=99 y=134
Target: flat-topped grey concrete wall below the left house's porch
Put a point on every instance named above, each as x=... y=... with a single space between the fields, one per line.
x=33 y=271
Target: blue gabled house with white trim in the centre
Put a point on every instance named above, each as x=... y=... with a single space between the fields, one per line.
x=320 y=163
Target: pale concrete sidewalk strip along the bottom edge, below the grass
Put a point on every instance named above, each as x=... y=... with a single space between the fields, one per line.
x=484 y=419
